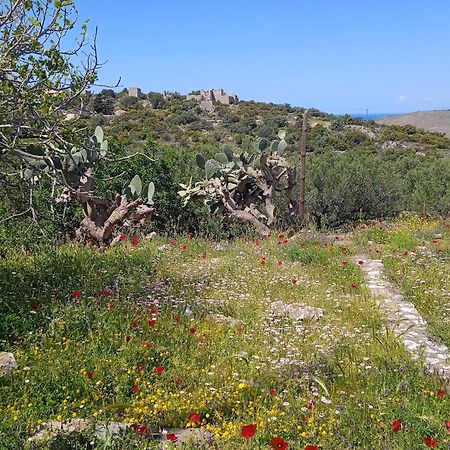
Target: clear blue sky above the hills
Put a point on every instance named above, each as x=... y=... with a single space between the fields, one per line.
x=336 y=55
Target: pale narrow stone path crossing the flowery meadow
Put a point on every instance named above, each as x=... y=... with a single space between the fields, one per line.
x=404 y=320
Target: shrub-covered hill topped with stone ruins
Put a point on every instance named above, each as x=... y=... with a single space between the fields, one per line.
x=196 y=122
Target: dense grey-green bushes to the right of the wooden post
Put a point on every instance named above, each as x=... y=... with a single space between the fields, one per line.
x=347 y=187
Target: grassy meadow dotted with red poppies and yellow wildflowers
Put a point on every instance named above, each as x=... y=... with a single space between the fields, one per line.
x=179 y=333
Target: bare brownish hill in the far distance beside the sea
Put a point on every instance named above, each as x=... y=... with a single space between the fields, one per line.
x=434 y=121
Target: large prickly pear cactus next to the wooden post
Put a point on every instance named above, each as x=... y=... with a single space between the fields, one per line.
x=243 y=184
